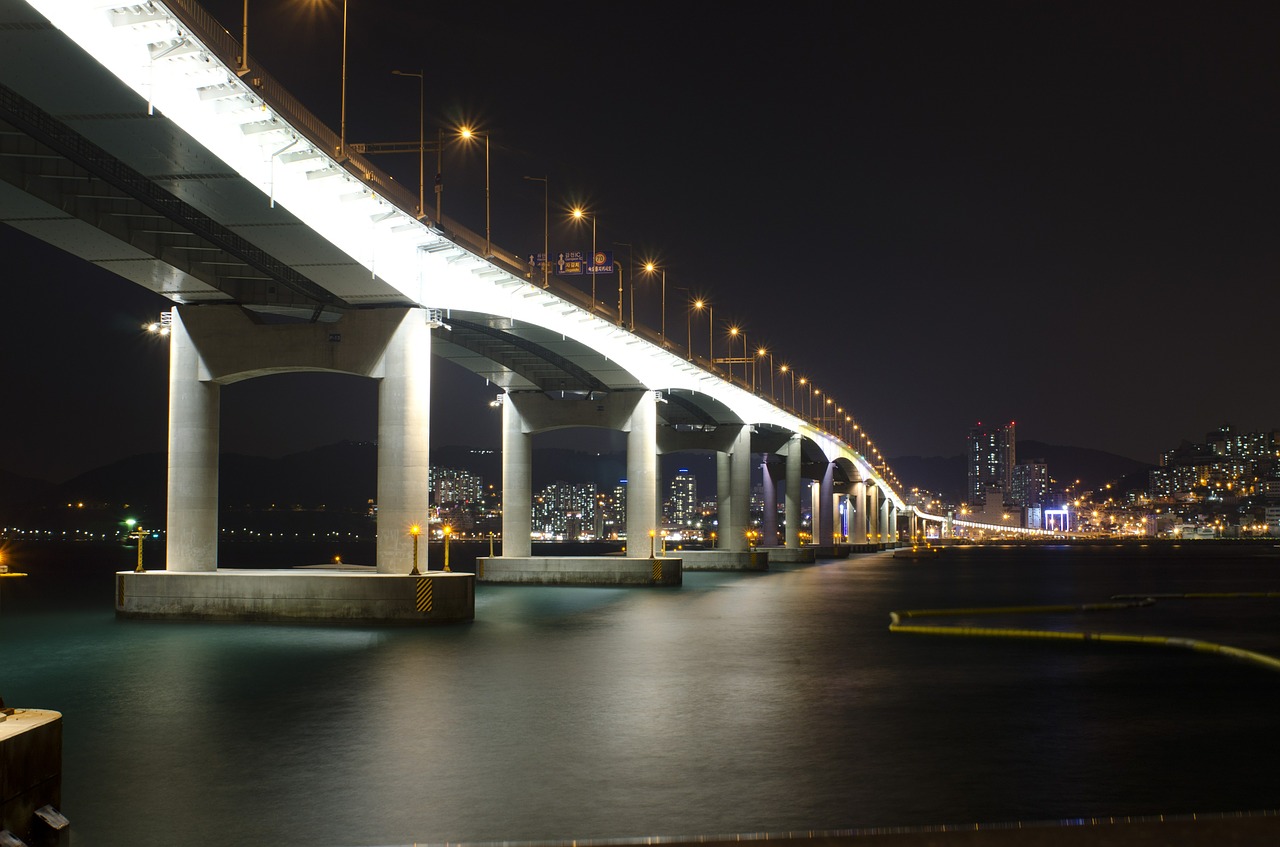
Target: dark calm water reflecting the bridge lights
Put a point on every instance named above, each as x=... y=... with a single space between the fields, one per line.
x=735 y=704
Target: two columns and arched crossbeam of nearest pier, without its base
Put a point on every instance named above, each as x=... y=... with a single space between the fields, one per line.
x=214 y=346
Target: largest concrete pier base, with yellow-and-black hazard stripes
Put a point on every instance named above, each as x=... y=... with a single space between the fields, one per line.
x=299 y=596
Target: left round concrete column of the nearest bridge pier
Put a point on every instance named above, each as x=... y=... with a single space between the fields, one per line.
x=191 y=533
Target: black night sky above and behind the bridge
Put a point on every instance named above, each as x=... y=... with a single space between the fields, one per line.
x=1063 y=214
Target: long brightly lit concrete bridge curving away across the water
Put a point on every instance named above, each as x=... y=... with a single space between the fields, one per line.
x=149 y=146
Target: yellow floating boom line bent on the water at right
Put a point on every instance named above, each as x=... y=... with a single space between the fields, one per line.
x=1119 y=602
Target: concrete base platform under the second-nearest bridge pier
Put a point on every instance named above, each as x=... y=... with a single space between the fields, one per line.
x=586 y=571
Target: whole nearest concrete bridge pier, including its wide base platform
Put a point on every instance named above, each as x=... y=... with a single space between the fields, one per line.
x=214 y=346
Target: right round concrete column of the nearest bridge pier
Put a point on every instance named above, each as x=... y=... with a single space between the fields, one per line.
x=404 y=442
